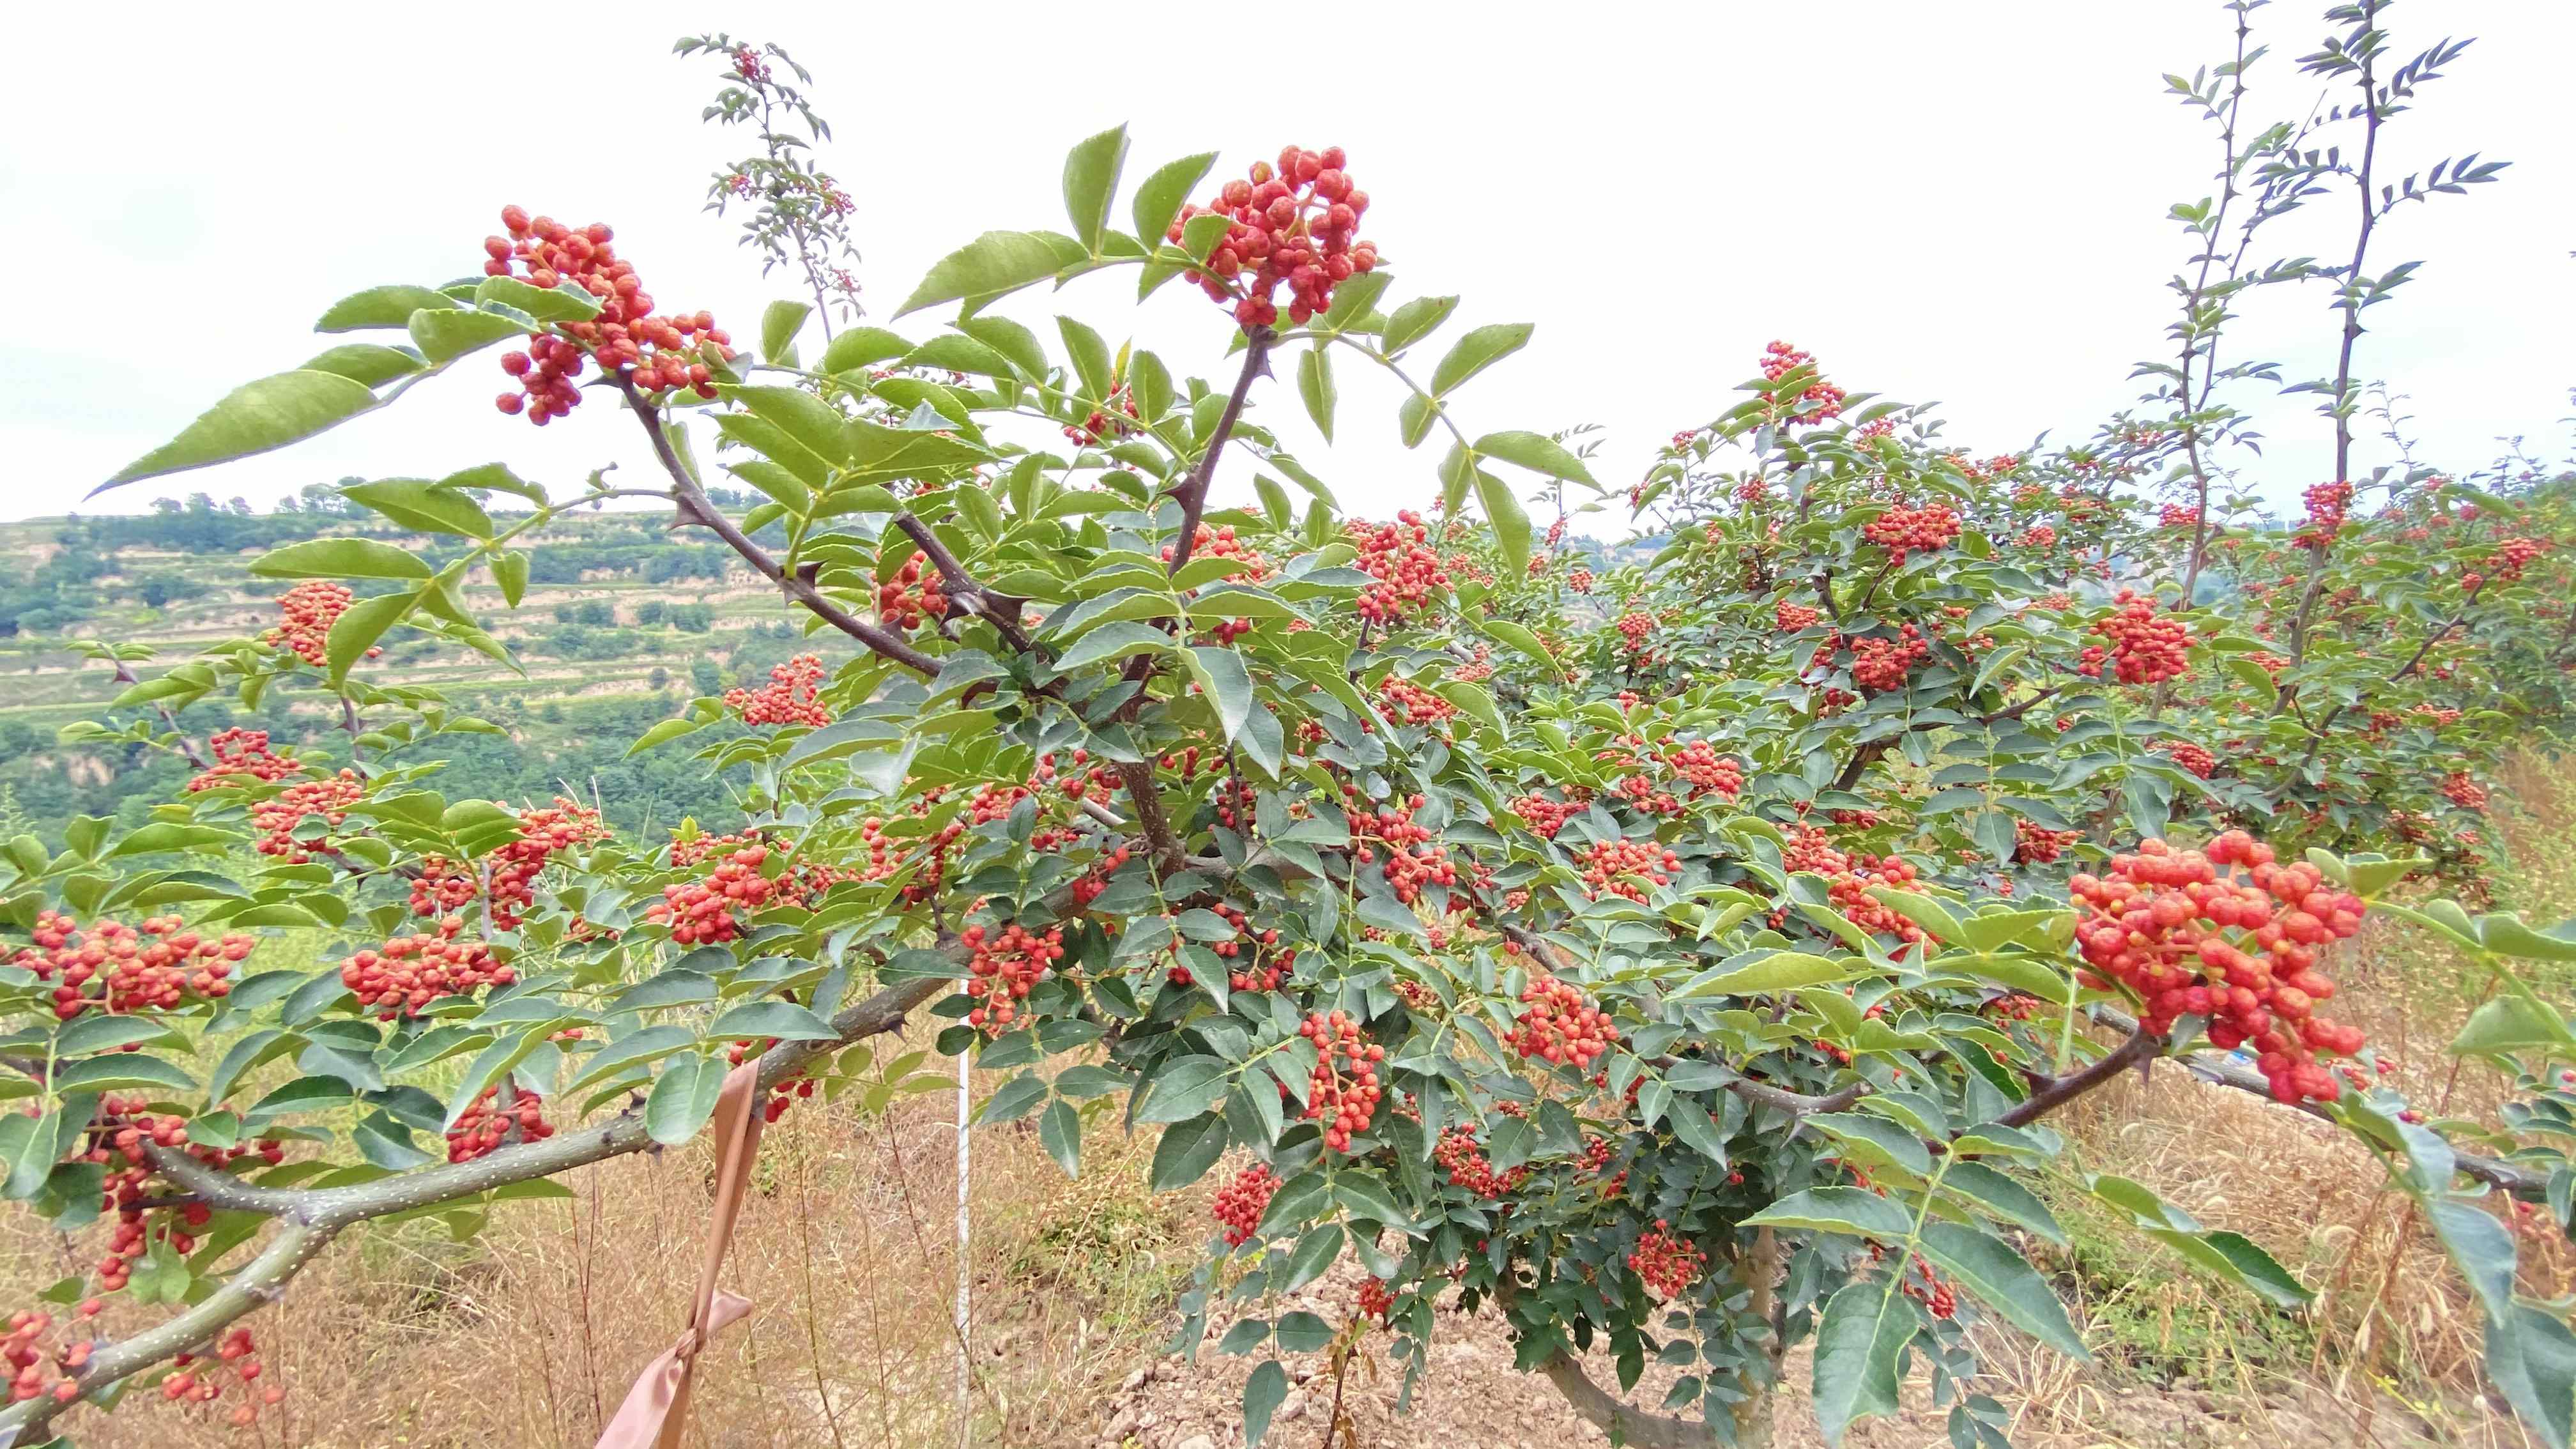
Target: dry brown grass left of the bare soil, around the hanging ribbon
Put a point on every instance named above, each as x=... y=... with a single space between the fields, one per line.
x=532 y=1332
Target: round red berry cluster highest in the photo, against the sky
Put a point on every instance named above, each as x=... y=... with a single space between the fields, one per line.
x=1294 y=226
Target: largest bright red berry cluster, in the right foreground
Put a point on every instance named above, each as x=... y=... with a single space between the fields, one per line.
x=2235 y=937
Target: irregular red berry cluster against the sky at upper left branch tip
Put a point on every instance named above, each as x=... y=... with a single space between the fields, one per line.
x=656 y=355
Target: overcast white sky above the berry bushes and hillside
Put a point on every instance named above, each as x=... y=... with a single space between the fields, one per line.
x=1944 y=202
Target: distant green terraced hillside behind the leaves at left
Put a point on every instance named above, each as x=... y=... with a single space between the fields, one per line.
x=622 y=625
